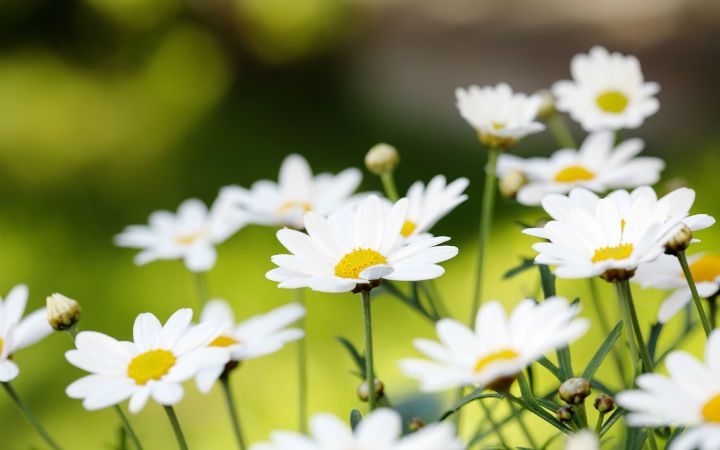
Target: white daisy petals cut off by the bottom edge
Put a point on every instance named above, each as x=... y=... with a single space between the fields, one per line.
x=379 y=430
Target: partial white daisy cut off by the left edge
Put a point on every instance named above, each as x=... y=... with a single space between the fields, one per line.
x=17 y=333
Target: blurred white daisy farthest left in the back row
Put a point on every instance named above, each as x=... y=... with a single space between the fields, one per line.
x=191 y=234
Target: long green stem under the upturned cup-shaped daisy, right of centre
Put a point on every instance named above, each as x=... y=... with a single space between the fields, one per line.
x=484 y=231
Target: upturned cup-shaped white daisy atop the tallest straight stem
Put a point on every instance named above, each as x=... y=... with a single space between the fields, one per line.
x=500 y=116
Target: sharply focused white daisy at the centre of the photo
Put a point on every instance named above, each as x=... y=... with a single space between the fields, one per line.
x=356 y=249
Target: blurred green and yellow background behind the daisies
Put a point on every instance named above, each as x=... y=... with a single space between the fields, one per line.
x=110 y=109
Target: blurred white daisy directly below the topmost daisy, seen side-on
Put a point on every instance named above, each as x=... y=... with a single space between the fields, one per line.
x=598 y=165
